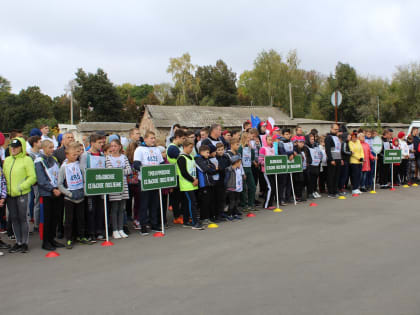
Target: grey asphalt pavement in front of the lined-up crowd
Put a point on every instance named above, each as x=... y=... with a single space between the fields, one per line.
x=354 y=256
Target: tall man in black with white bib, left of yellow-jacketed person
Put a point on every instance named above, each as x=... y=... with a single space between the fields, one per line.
x=334 y=160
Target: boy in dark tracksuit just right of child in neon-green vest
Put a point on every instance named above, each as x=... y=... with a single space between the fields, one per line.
x=205 y=171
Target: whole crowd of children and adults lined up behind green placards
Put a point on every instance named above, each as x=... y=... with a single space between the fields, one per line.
x=221 y=174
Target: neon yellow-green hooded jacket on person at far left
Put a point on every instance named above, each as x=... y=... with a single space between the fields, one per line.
x=19 y=171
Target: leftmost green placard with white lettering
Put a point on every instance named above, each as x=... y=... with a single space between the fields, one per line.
x=102 y=181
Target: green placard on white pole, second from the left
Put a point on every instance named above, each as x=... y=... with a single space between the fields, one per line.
x=158 y=176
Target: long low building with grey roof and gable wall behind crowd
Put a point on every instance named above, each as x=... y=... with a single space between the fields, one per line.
x=160 y=118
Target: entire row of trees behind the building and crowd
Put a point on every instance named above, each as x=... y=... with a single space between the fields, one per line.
x=96 y=98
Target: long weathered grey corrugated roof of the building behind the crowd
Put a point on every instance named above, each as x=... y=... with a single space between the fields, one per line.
x=200 y=116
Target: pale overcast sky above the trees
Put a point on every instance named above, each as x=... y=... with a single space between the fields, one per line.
x=44 y=42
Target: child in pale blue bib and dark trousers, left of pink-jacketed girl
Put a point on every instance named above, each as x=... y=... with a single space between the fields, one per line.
x=248 y=158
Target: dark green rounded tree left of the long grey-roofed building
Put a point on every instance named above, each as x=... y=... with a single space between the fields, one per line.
x=97 y=97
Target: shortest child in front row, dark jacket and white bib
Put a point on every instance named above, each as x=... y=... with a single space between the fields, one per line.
x=234 y=187
